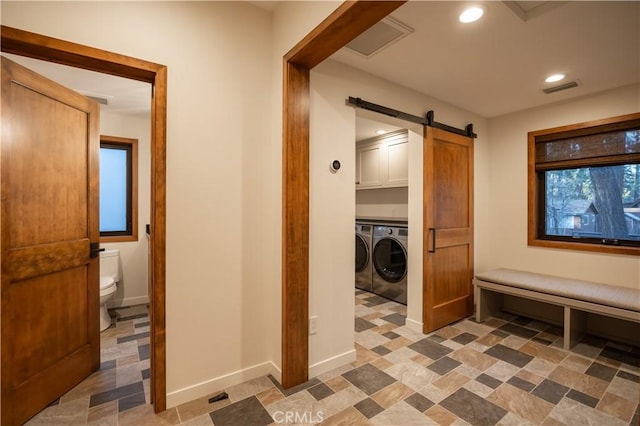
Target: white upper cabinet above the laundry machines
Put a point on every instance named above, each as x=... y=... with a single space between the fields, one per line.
x=383 y=162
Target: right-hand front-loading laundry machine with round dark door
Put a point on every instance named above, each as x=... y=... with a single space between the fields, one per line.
x=389 y=259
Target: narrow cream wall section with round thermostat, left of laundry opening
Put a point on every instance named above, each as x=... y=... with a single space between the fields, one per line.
x=331 y=220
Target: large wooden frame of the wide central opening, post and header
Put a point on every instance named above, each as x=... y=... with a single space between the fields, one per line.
x=347 y=22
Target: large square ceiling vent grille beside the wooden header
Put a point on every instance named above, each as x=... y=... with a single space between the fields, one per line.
x=378 y=37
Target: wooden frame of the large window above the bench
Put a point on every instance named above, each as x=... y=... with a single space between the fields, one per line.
x=536 y=189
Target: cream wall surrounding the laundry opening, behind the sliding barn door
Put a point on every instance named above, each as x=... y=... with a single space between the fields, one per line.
x=332 y=207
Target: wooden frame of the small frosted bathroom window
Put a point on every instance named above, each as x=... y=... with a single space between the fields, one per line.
x=132 y=190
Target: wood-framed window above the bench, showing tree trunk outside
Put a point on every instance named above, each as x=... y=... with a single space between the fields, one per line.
x=584 y=186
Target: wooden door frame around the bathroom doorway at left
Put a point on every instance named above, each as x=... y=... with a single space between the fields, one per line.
x=49 y=49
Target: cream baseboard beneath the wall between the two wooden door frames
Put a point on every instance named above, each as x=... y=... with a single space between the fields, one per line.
x=218 y=384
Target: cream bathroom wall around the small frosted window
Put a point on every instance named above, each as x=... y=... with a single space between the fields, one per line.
x=134 y=287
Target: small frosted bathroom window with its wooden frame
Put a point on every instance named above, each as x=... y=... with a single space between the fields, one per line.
x=118 y=189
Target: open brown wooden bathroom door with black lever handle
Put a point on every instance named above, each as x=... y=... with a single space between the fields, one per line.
x=50 y=283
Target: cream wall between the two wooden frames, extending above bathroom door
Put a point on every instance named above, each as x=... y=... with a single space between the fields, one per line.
x=222 y=213
